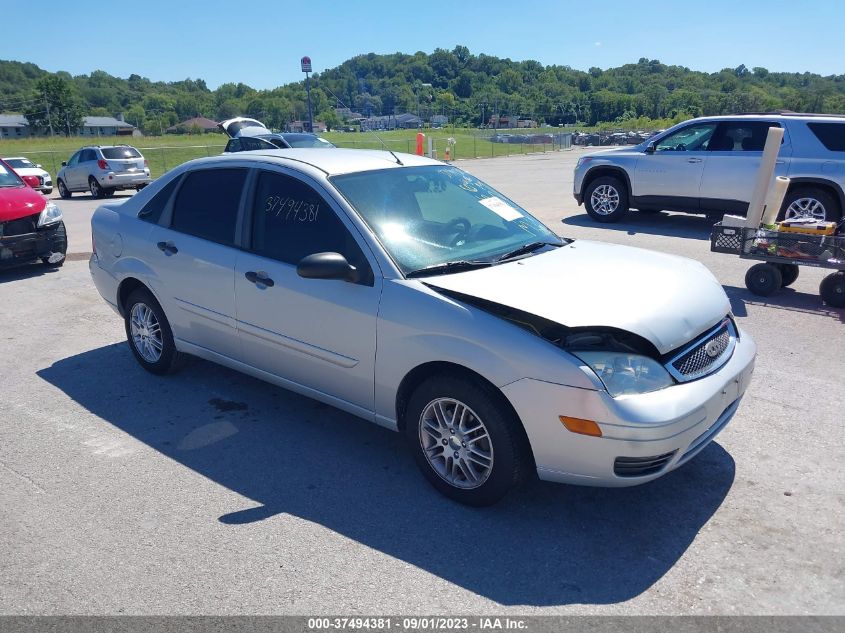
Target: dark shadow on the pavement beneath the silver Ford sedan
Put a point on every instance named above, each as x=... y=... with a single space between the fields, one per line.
x=544 y=544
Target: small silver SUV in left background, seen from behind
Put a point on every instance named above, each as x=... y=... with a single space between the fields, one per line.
x=102 y=170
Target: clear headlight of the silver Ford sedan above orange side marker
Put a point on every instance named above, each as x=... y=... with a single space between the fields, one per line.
x=624 y=373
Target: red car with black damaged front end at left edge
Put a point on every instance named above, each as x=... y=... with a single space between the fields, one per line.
x=31 y=226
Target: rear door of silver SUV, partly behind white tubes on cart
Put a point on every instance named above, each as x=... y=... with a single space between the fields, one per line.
x=734 y=155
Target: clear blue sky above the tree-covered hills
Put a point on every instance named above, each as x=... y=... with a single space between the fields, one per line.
x=261 y=42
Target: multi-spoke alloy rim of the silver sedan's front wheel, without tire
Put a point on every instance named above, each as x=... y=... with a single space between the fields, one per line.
x=456 y=443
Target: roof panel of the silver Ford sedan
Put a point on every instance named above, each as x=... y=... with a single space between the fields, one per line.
x=331 y=161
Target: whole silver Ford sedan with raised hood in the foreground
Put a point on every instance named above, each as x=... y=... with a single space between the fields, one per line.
x=411 y=294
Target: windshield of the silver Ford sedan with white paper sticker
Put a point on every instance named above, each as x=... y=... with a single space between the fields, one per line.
x=426 y=216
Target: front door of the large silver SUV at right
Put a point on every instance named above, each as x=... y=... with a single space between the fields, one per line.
x=670 y=178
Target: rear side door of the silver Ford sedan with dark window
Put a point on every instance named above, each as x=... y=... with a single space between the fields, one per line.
x=192 y=251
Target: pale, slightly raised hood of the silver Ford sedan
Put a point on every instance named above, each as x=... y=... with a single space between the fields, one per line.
x=665 y=299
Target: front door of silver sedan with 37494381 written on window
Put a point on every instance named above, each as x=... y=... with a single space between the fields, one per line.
x=318 y=334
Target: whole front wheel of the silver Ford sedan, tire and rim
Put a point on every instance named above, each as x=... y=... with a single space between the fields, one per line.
x=479 y=480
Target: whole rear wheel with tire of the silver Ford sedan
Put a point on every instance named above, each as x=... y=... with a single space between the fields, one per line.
x=142 y=337
